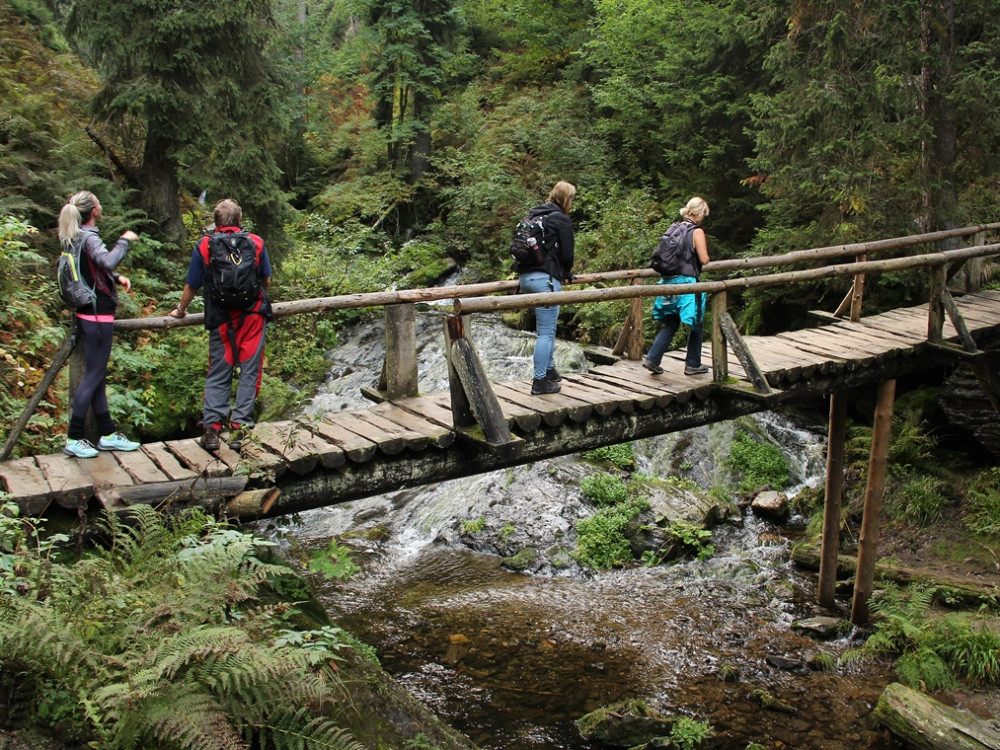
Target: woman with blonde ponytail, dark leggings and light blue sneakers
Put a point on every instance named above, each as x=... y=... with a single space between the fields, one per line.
x=95 y=323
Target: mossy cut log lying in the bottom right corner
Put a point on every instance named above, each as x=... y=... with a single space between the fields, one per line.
x=926 y=724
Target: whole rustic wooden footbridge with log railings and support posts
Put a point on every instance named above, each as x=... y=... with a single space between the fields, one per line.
x=408 y=439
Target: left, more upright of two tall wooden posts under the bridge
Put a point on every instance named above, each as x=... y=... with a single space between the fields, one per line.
x=833 y=498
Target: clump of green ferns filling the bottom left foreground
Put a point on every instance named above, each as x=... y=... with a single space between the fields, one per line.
x=178 y=633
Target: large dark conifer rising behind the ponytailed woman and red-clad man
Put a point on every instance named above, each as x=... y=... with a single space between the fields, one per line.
x=192 y=86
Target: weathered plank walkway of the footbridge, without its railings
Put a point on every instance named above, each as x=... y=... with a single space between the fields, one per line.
x=392 y=438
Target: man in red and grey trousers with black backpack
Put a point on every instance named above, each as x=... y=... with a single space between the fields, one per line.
x=234 y=271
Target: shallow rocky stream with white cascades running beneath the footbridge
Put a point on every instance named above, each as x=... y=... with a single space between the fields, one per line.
x=512 y=659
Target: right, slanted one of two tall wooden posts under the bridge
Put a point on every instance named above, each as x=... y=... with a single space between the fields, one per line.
x=872 y=517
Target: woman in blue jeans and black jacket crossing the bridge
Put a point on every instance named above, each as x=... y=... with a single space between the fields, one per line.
x=555 y=269
